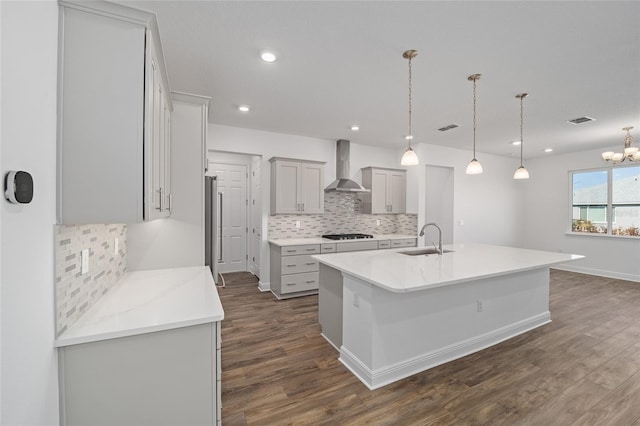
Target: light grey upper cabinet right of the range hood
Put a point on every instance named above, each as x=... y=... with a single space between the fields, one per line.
x=388 y=190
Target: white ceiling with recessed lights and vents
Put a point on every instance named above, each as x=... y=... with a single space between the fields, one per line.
x=340 y=63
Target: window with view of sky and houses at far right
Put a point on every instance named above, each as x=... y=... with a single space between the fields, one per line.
x=606 y=201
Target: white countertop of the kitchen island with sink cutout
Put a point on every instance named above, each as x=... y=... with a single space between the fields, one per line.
x=397 y=272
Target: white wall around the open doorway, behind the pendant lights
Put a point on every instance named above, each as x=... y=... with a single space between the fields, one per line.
x=490 y=205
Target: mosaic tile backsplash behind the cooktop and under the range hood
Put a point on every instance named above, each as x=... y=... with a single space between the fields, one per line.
x=341 y=215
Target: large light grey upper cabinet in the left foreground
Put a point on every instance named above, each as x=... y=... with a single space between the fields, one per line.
x=113 y=116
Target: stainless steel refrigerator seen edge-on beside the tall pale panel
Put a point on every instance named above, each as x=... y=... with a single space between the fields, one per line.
x=212 y=225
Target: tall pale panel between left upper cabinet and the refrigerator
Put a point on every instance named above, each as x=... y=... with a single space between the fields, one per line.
x=177 y=241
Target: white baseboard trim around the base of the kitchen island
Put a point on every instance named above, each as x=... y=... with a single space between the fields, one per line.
x=375 y=379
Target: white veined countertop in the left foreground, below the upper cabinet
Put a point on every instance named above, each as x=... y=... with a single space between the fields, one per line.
x=148 y=301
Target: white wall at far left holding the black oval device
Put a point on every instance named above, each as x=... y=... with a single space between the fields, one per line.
x=29 y=37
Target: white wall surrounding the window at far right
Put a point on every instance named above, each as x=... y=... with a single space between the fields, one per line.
x=547 y=219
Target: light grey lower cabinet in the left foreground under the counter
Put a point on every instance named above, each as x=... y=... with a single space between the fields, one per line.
x=167 y=377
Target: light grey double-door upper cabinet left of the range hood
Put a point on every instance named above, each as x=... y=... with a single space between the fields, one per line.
x=297 y=186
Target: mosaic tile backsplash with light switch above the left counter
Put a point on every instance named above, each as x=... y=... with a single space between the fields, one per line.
x=75 y=292
